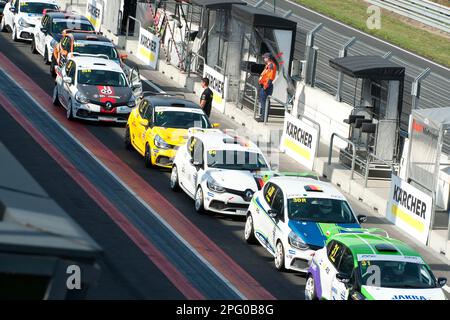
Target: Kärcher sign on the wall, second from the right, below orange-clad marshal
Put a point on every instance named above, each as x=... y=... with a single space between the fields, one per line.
x=299 y=140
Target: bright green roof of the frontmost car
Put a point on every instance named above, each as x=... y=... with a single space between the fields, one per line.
x=374 y=244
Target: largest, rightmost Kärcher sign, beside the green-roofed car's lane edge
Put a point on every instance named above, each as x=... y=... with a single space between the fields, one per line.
x=410 y=209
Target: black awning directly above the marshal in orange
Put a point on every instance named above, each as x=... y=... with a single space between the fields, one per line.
x=263 y=18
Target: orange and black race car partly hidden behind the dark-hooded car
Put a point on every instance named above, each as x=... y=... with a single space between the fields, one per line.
x=83 y=42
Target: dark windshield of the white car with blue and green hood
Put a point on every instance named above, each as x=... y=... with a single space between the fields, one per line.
x=322 y=210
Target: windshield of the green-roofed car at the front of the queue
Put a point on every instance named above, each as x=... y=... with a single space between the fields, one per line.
x=396 y=274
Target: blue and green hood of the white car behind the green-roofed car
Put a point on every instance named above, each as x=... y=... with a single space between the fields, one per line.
x=317 y=233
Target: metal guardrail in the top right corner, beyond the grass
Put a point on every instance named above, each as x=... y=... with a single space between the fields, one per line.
x=426 y=12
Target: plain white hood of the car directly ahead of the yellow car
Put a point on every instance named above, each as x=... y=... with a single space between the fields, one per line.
x=234 y=179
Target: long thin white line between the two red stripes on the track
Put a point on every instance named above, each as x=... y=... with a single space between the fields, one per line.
x=150 y=209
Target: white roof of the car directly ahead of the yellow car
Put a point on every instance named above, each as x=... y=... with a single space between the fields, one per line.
x=215 y=139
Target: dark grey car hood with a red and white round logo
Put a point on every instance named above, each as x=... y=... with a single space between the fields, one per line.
x=117 y=96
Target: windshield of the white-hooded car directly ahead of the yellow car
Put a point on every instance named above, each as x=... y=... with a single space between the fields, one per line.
x=236 y=160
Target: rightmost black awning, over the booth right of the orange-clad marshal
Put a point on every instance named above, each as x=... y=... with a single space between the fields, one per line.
x=369 y=67
